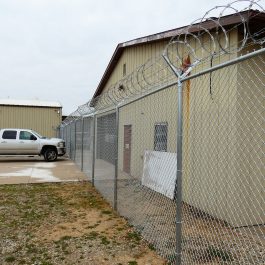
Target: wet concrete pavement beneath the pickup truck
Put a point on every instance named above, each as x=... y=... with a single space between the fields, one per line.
x=23 y=169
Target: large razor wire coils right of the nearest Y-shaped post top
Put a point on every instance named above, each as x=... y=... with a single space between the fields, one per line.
x=217 y=35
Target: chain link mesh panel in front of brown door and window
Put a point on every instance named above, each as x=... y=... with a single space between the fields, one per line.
x=147 y=163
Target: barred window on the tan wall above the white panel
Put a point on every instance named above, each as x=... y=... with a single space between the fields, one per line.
x=160 y=139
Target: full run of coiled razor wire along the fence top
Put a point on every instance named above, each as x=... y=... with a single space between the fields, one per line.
x=202 y=41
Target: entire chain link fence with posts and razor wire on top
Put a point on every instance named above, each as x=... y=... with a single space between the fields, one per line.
x=177 y=147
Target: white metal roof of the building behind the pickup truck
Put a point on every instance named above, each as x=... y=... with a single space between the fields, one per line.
x=32 y=103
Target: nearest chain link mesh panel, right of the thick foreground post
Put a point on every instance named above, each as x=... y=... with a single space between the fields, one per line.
x=223 y=160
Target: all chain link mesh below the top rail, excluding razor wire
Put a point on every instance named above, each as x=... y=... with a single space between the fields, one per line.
x=223 y=205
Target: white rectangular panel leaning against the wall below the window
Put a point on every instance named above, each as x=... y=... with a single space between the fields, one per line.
x=160 y=172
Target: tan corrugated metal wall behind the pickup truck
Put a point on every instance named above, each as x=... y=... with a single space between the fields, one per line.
x=44 y=120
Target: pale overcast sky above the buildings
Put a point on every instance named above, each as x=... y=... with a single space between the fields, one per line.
x=58 y=50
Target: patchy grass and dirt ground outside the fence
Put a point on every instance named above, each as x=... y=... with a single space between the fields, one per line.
x=66 y=223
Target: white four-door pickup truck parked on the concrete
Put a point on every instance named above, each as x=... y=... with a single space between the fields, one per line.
x=27 y=142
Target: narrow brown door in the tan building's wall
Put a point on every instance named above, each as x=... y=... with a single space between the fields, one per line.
x=127 y=148
